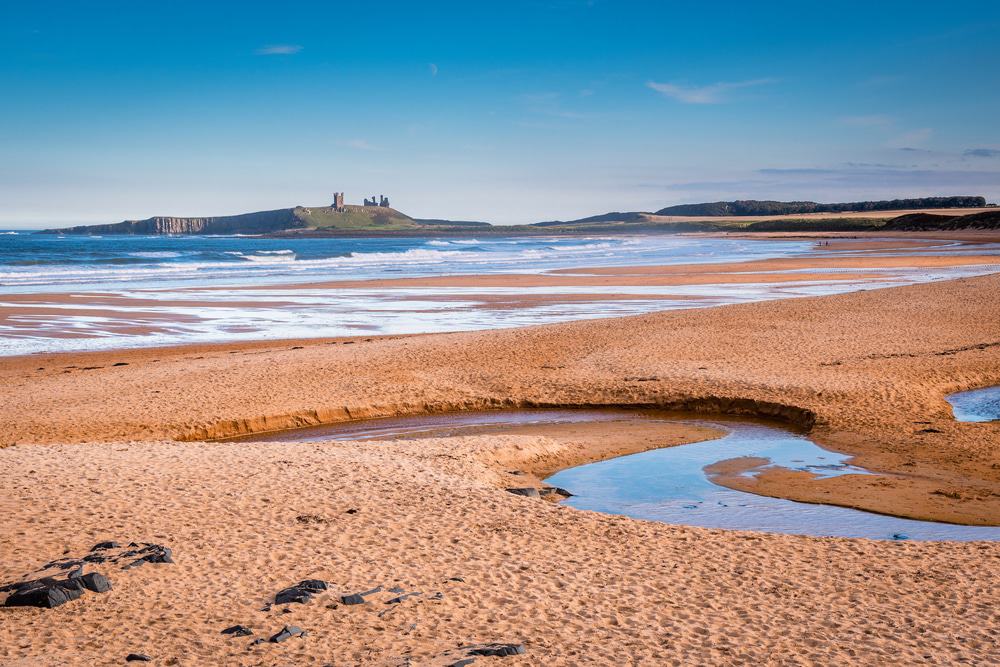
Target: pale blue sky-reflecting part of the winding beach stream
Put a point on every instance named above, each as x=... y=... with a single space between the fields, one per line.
x=670 y=485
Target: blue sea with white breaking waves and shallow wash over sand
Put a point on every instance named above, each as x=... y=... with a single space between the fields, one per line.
x=69 y=292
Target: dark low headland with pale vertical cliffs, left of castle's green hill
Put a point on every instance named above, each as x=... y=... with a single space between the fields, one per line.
x=261 y=222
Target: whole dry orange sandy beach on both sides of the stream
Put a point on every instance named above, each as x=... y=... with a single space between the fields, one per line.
x=110 y=446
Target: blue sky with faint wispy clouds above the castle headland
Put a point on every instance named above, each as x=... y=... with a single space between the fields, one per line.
x=509 y=112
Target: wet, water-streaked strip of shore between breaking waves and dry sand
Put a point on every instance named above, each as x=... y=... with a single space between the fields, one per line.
x=147 y=317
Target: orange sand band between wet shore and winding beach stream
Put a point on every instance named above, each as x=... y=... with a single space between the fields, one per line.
x=887 y=378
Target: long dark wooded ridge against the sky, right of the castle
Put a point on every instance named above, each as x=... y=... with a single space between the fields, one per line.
x=765 y=207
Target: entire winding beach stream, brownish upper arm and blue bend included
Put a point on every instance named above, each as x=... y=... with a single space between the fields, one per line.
x=670 y=484
